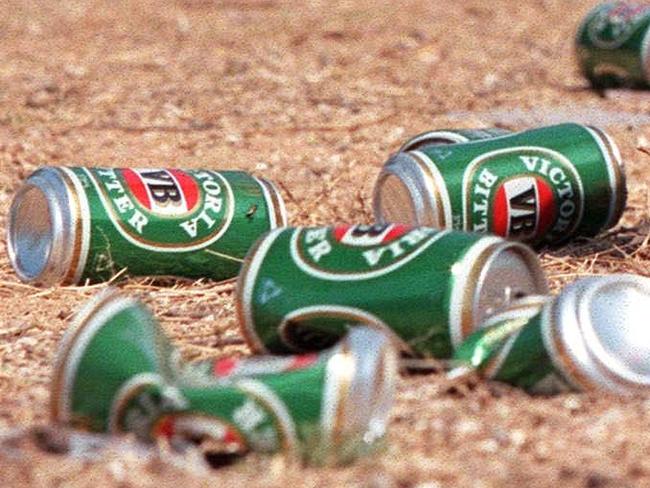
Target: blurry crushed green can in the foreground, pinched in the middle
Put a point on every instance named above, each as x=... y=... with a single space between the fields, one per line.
x=117 y=372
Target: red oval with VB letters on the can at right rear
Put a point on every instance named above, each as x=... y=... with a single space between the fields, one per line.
x=523 y=208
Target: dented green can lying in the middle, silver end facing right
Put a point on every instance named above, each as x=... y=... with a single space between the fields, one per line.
x=300 y=288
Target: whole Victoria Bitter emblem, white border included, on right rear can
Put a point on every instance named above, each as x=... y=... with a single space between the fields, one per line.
x=523 y=193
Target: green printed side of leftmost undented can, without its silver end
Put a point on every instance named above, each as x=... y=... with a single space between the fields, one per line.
x=188 y=223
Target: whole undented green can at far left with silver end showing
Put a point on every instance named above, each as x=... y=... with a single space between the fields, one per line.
x=69 y=225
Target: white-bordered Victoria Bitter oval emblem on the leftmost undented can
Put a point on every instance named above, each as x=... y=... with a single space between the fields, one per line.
x=165 y=209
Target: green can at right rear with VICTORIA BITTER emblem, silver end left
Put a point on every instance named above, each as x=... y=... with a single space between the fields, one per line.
x=538 y=186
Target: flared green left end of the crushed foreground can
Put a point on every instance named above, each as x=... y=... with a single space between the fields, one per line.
x=113 y=342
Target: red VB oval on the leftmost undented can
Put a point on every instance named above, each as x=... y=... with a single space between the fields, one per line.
x=167 y=192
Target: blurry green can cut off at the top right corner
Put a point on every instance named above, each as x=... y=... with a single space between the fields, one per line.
x=612 y=45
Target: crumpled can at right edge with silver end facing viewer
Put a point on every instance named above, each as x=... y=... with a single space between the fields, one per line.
x=593 y=335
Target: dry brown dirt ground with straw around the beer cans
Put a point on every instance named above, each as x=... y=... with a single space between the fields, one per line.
x=313 y=95
